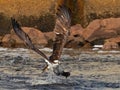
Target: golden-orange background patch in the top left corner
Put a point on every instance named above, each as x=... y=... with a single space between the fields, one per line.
x=25 y=7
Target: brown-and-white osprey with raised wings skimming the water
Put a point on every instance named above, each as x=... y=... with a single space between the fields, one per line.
x=62 y=31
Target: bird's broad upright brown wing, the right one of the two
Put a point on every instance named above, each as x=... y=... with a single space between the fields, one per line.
x=62 y=27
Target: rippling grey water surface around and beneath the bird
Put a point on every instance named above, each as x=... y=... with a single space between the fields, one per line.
x=90 y=70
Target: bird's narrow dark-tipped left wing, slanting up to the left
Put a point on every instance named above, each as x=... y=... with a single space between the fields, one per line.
x=23 y=36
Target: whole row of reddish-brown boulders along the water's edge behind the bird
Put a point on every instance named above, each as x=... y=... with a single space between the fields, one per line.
x=106 y=32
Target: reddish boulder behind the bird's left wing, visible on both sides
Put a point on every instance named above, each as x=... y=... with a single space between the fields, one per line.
x=12 y=40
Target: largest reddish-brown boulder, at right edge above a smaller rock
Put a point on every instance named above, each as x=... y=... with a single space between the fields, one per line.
x=102 y=29
